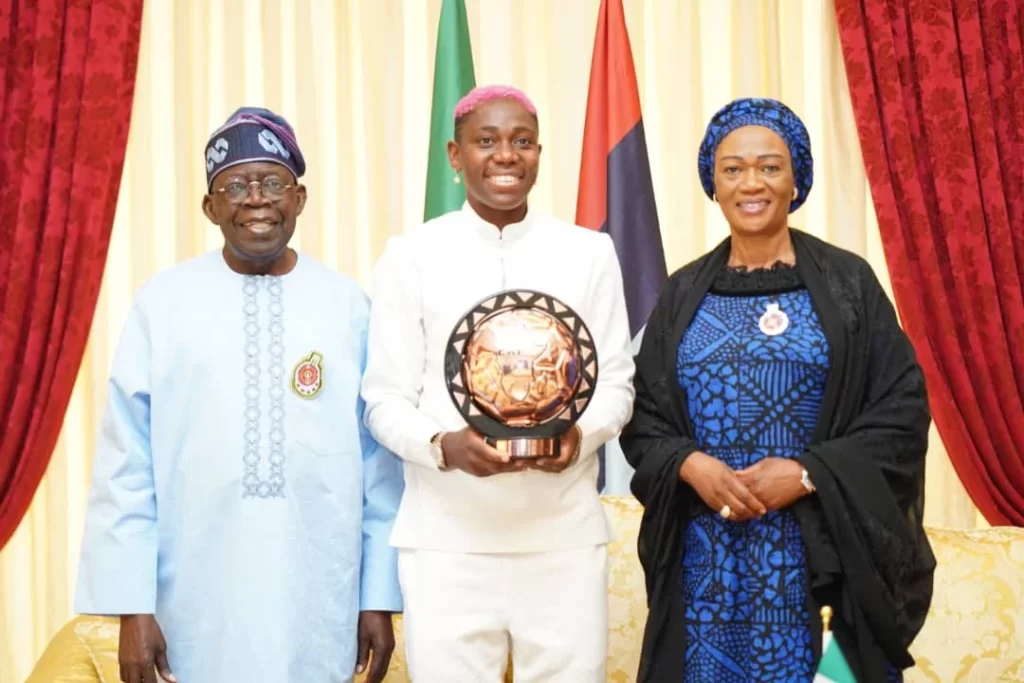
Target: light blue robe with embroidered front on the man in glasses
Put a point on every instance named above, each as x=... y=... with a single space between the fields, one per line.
x=252 y=521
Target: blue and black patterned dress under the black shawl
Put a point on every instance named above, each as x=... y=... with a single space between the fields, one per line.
x=750 y=396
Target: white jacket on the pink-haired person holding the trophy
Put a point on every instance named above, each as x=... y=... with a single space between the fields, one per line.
x=425 y=282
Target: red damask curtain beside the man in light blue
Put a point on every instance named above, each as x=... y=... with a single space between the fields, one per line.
x=66 y=93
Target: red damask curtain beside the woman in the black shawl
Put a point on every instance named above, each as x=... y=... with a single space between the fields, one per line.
x=938 y=95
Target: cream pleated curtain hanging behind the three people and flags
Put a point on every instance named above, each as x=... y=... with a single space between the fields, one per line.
x=355 y=79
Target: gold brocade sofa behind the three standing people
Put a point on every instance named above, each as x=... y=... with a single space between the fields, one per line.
x=974 y=634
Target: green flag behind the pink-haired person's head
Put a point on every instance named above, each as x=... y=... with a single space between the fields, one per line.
x=453 y=79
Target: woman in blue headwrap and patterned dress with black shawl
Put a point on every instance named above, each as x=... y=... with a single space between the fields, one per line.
x=779 y=436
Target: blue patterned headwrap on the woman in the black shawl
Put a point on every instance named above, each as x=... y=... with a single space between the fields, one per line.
x=773 y=115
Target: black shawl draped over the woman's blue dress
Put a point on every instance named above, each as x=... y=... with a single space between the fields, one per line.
x=868 y=557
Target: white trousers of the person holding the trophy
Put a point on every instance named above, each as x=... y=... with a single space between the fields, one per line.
x=464 y=612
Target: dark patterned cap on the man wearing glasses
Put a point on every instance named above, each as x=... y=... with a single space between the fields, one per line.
x=253 y=135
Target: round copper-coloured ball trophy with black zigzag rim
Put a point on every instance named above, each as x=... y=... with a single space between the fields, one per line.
x=522 y=368
